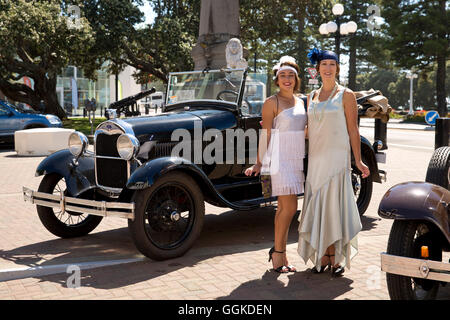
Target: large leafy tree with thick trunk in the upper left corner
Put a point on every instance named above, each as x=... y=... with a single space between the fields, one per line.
x=38 y=42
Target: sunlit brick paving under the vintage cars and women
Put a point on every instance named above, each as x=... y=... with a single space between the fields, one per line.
x=228 y=261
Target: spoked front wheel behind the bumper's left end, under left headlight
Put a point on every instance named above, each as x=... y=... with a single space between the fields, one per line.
x=64 y=224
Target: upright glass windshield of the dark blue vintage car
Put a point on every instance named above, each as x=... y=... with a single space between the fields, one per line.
x=222 y=85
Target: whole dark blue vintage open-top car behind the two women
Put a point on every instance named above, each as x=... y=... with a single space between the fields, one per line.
x=142 y=170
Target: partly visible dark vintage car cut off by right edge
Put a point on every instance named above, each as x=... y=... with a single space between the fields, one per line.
x=420 y=233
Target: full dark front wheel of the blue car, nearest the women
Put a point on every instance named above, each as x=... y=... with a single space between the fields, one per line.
x=168 y=217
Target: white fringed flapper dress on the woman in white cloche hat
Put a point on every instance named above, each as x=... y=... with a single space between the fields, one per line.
x=284 y=157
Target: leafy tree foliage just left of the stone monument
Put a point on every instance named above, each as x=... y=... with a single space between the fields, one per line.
x=160 y=47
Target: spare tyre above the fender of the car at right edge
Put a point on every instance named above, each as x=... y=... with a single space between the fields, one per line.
x=437 y=172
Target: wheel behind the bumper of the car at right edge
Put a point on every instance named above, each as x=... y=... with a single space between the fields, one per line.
x=406 y=239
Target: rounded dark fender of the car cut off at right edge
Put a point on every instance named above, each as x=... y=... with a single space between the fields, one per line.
x=417 y=201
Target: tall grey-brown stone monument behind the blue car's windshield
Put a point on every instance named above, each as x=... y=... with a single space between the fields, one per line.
x=219 y=22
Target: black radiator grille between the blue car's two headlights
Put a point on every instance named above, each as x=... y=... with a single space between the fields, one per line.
x=112 y=173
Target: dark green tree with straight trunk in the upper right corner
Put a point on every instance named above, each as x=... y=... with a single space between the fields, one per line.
x=417 y=35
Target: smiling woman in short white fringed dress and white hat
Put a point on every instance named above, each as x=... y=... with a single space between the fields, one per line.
x=282 y=149
